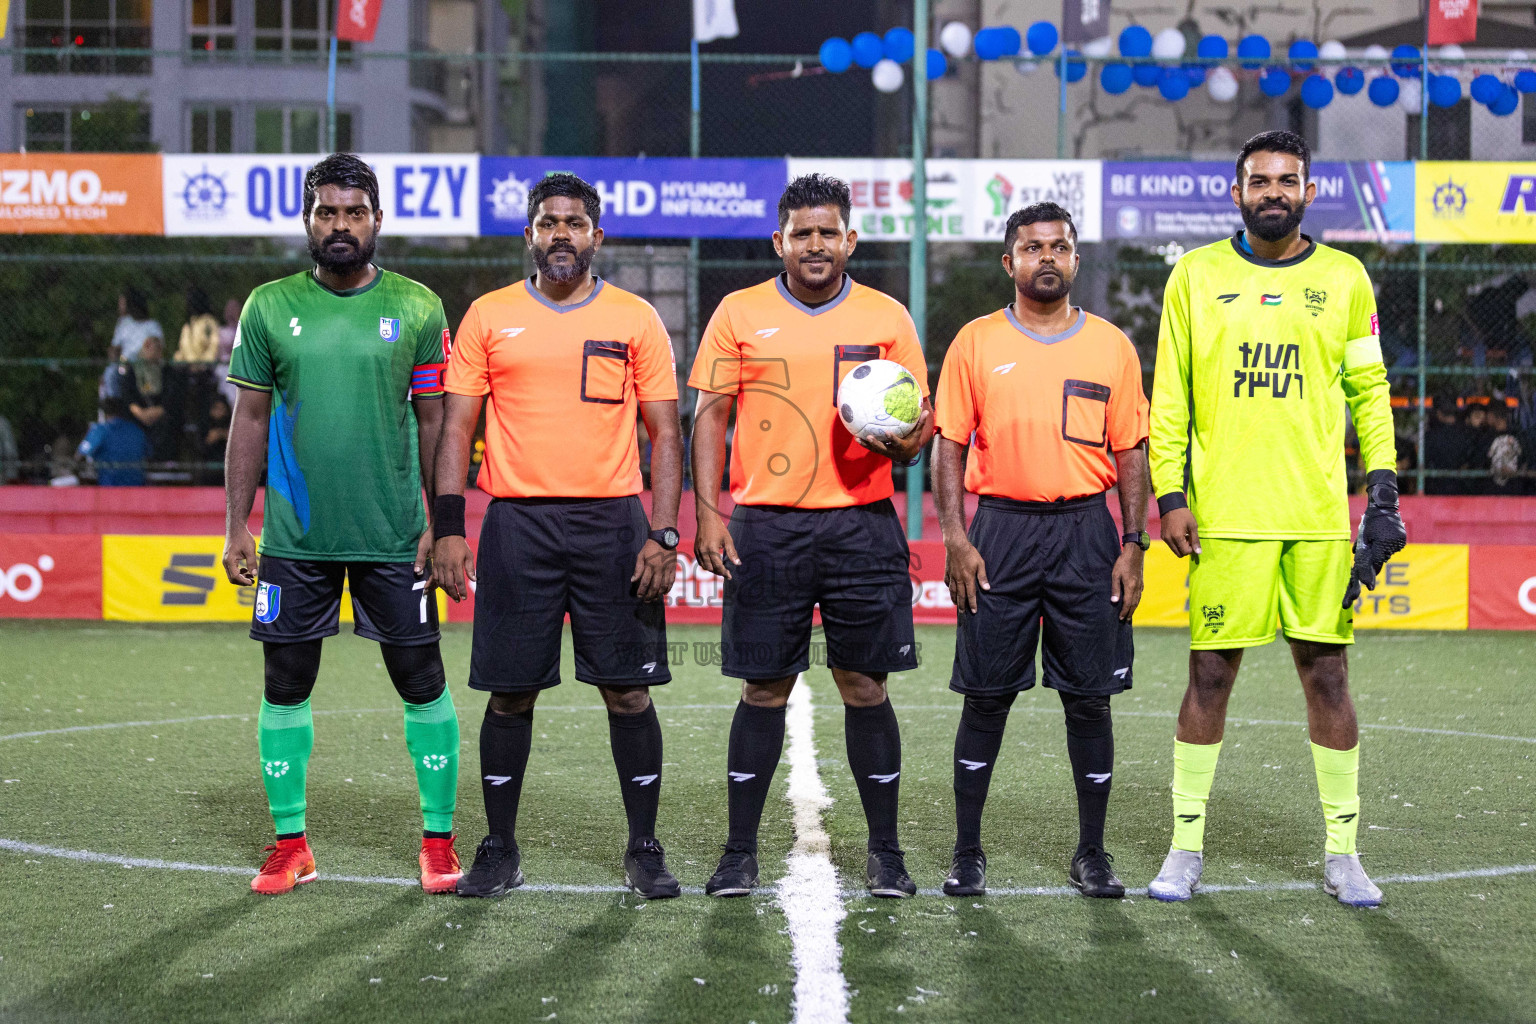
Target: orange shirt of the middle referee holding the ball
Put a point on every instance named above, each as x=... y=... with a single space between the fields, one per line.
x=783 y=362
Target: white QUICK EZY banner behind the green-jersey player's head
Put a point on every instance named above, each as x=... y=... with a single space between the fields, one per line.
x=422 y=194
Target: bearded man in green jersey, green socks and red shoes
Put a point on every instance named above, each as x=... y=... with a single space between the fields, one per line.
x=340 y=374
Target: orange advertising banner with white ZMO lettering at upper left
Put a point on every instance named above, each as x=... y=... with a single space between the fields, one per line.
x=81 y=194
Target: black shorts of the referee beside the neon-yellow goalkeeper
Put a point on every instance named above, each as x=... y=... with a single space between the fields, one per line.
x=1047 y=563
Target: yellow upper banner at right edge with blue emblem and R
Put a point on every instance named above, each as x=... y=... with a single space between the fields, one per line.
x=1475 y=202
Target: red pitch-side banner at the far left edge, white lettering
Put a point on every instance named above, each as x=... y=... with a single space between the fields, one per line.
x=50 y=576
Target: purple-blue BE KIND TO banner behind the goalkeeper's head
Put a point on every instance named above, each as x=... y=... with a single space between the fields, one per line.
x=1357 y=202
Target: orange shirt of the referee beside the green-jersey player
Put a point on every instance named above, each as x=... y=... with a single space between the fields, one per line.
x=564 y=386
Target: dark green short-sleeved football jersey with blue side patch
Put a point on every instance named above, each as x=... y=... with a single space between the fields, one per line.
x=343 y=368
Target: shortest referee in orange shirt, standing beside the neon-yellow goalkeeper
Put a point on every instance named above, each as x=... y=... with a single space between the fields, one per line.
x=1050 y=403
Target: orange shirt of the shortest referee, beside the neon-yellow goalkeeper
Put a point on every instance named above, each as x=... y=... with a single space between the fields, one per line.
x=1047 y=412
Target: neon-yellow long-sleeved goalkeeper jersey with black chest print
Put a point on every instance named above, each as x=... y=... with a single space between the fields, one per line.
x=1257 y=362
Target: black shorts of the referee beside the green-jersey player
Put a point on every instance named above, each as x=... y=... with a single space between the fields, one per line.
x=545 y=558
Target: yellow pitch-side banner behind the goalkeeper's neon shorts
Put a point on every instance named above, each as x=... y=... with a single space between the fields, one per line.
x=1423 y=587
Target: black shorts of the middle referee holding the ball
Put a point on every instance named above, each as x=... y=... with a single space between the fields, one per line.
x=853 y=563
